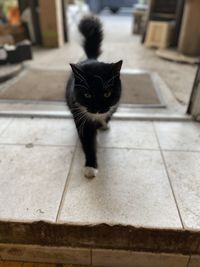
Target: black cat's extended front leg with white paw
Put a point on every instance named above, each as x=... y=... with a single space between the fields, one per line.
x=87 y=134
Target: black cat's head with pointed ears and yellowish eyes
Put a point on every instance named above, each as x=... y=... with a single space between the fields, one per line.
x=97 y=85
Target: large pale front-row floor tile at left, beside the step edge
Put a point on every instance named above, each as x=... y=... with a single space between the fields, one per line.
x=32 y=181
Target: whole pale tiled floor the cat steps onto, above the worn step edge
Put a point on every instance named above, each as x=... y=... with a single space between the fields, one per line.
x=138 y=183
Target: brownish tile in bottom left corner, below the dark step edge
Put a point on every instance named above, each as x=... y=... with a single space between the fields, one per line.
x=33 y=253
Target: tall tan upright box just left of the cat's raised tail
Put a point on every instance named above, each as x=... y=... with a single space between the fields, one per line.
x=51 y=23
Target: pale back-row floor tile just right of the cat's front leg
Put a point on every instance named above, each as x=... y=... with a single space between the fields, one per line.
x=129 y=134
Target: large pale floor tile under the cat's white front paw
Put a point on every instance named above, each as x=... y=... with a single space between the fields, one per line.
x=131 y=188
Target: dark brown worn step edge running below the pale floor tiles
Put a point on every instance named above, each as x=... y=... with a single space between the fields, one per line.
x=178 y=241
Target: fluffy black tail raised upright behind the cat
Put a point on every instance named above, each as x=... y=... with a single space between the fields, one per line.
x=91 y=28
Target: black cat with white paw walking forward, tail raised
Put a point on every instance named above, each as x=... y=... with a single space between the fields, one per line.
x=93 y=91
